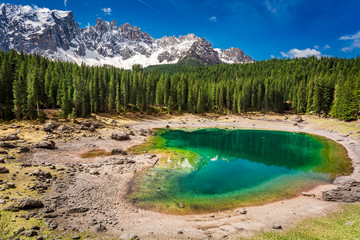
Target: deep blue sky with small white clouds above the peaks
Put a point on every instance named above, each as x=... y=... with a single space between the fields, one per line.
x=263 y=29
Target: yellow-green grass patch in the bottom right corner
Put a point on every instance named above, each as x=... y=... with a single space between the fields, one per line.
x=343 y=224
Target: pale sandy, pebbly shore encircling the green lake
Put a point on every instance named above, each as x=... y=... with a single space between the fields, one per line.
x=109 y=206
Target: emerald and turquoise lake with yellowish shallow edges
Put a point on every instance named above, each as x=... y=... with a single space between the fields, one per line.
x=218 y=169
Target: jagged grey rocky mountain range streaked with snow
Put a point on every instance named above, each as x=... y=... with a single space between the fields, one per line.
x=56 y=35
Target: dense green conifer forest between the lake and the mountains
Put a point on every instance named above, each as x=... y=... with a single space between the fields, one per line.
x=328 y=86
